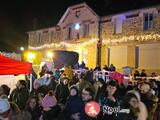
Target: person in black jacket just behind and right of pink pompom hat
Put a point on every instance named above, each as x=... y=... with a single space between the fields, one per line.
x=62 y=91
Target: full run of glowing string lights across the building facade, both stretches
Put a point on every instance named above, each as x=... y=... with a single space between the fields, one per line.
x=105 y=41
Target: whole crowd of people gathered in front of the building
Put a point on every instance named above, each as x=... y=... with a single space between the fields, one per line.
x=60 y=95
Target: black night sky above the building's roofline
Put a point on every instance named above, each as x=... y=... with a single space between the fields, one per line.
x=16 y=16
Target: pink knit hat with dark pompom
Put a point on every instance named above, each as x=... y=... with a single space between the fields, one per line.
x=49 y=100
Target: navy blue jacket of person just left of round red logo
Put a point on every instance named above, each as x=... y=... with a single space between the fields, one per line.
x=74 y=105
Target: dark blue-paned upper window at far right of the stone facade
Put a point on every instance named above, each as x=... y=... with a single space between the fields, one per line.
x=148 y=21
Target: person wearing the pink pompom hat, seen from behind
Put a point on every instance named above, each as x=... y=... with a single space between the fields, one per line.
x=50 y=107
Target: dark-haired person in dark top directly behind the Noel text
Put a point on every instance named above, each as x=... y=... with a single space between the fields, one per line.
x=108 y=101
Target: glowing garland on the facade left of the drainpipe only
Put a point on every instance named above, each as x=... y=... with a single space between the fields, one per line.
x=63 y=44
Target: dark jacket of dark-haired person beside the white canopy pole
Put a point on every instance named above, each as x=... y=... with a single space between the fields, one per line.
x=20 y=97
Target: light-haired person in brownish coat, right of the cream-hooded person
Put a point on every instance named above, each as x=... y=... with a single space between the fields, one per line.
x=149 y=99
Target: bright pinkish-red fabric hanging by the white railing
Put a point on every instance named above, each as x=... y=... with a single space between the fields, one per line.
x=116 y=76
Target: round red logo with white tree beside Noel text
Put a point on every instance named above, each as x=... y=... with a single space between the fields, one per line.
x=92 y=109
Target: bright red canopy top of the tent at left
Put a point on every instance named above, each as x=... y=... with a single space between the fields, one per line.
x=9 y=66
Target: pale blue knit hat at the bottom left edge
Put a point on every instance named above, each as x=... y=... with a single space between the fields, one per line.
x=4 y=105
